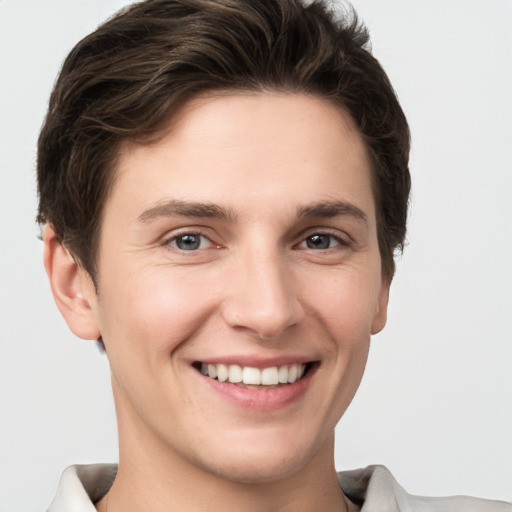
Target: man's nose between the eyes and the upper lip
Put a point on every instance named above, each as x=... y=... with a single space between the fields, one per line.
x=262 y=296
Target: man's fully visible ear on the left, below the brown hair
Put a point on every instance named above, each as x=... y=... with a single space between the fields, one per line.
x=72 y=287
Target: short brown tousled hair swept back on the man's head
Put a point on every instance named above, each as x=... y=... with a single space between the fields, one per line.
x=124 y=80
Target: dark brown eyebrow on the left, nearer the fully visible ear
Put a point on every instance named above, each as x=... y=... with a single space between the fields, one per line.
x=185 y=209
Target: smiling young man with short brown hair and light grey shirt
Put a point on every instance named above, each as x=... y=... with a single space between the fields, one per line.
x=223 y=186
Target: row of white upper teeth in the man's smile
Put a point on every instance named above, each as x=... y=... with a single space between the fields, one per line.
x=271 y=376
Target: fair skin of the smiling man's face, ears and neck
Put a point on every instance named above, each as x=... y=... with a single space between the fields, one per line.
x=282 y=171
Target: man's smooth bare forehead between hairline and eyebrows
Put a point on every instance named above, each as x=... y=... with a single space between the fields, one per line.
x=245 y=147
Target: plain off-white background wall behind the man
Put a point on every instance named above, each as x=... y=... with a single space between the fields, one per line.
x=435 y=405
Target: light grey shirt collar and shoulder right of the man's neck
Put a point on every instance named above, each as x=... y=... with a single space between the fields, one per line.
x=376 y=490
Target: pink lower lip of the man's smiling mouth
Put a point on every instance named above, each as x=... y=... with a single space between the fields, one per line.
x=269 y=399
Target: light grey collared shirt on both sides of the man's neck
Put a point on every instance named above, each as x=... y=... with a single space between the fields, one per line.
x=373 y=489
